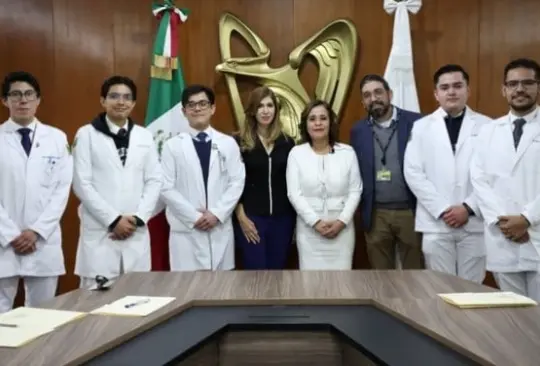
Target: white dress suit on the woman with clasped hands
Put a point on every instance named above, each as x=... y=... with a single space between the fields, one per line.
x=324 y=187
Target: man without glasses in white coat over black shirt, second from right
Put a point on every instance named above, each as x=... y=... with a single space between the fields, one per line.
x=437 y=164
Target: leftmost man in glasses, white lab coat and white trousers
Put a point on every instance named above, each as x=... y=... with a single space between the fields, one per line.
x=35 y=178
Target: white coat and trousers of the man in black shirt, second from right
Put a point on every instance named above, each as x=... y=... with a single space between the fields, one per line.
x=440 y=178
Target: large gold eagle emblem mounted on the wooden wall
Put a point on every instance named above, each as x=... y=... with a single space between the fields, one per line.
x=334 y=48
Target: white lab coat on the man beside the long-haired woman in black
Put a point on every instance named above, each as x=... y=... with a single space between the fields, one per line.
x=184 y=195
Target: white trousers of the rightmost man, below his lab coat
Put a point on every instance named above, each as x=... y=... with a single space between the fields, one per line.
x=522 y=283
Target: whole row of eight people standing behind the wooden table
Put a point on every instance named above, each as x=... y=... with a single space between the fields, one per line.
x=453 y=191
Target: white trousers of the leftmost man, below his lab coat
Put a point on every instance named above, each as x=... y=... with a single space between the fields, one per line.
x=36 y=291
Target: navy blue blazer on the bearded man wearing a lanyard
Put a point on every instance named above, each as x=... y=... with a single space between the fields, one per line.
x=362 y=142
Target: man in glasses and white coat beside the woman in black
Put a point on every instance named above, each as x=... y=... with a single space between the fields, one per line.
x=203 y=181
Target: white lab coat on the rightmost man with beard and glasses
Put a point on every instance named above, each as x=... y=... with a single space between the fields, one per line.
x=507 y=182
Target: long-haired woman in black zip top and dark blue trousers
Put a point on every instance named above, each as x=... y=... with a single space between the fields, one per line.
x=265 y=218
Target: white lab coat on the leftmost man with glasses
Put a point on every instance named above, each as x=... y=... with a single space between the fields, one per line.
x=34 y=191
